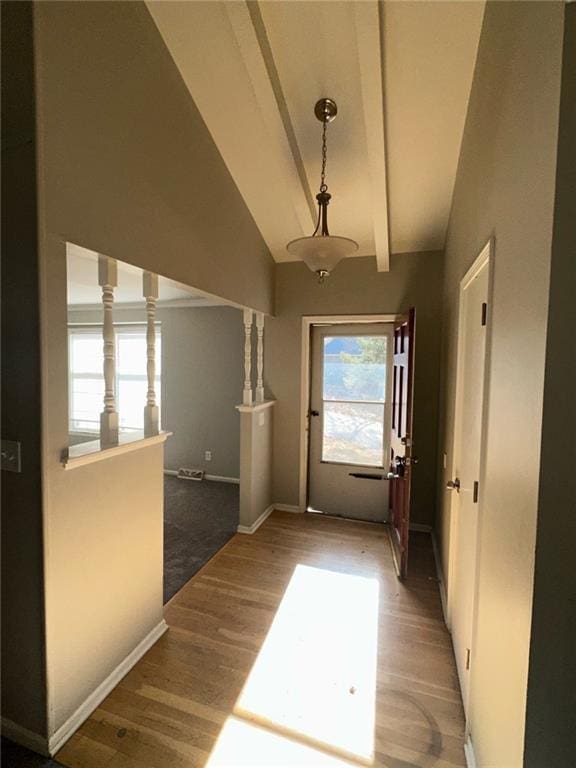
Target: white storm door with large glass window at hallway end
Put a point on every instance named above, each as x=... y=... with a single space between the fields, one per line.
x=349 y=421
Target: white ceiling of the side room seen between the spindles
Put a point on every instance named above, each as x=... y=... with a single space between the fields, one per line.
x=84 y=291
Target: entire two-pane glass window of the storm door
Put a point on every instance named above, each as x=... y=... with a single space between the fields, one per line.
x=354 y=394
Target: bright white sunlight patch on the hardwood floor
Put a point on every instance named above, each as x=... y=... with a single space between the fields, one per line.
x=315 y=677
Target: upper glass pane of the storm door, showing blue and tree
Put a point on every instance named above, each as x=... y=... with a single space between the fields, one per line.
x=354 y=368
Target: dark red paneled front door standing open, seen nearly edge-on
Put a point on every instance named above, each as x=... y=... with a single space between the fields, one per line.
x=401 y=456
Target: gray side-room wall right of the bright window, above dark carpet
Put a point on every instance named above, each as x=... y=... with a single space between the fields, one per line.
x=202 y=376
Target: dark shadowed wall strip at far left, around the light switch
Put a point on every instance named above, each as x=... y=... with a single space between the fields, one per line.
x=23 y=674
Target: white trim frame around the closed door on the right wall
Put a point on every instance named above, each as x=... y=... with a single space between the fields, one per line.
x=485 y=257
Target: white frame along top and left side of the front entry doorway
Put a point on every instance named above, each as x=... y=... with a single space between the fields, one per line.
x=305 y=362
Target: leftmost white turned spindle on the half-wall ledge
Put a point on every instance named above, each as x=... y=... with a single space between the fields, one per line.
x=108 y=280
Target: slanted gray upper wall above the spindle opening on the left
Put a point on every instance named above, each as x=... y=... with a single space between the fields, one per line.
x=129 y=168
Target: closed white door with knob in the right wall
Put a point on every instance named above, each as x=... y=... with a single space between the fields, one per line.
x=467 y=455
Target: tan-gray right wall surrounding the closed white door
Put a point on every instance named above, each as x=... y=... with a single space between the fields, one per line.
x=505 y=189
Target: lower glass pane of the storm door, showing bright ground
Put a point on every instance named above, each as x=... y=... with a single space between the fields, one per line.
x=353 y=433
